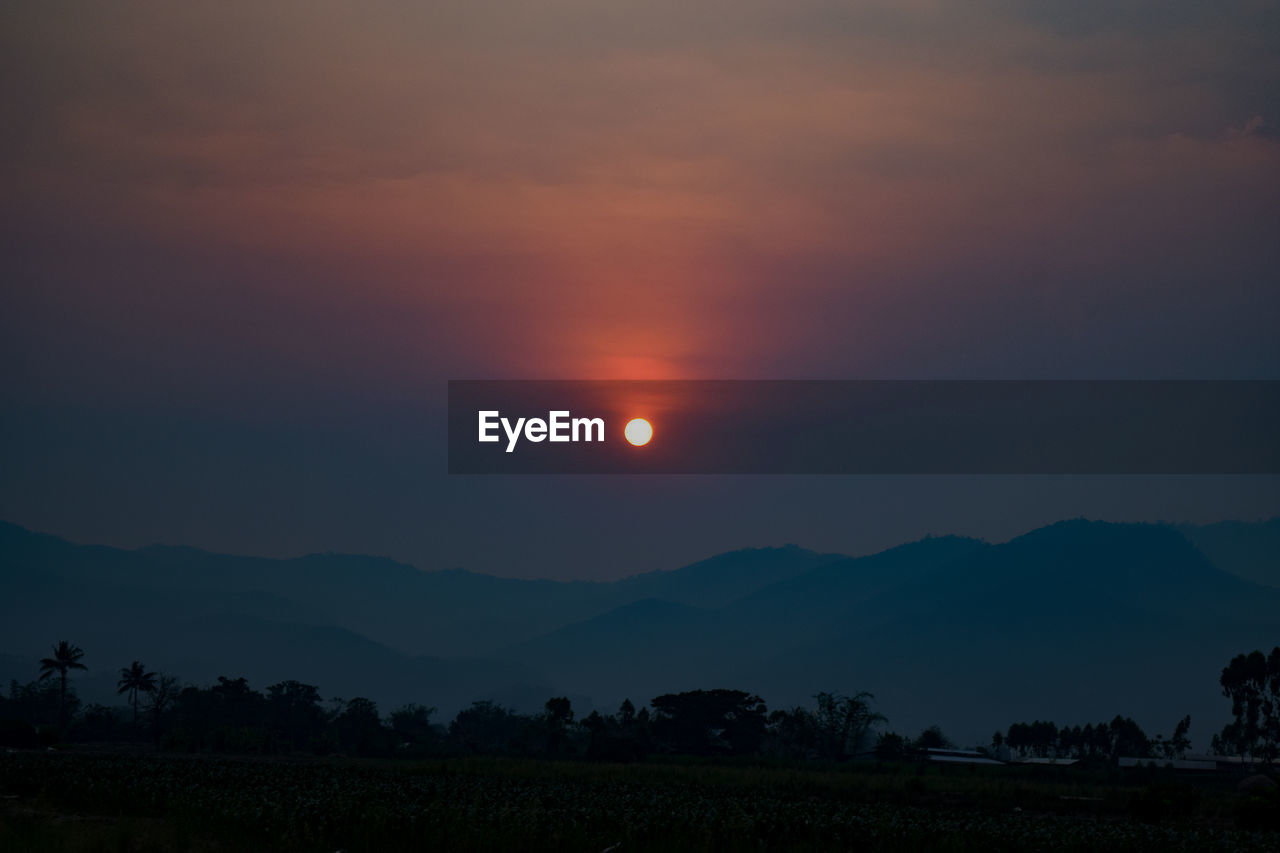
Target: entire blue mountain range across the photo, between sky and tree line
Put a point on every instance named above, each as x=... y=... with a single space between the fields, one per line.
x=1072 y=622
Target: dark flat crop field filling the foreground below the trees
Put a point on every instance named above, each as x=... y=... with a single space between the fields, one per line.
x=86 y=802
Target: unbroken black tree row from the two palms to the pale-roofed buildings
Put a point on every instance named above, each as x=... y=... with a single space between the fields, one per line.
x=292 y=718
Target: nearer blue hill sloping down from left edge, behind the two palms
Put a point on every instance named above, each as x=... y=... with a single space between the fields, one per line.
x=120 y=608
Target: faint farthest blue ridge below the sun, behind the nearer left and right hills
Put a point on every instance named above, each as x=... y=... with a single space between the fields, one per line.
x=450 y=613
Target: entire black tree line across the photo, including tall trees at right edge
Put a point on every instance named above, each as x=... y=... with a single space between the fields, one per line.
x=294 y=718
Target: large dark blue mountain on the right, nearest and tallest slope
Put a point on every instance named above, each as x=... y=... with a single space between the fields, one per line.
x=1075 y=622
